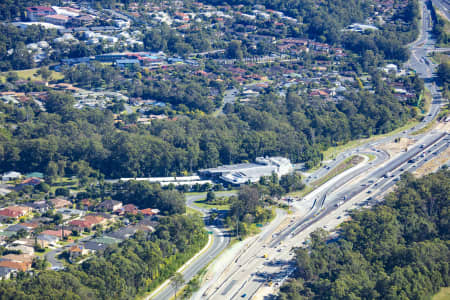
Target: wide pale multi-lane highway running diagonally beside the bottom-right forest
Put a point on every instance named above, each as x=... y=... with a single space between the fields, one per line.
x=268 y=259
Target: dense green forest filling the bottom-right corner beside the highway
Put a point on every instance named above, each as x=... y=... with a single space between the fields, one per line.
x=398 y=250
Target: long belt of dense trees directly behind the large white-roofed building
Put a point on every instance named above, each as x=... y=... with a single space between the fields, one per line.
x=289 y=126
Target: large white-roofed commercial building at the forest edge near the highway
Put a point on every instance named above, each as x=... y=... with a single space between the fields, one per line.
x=249 y=172
